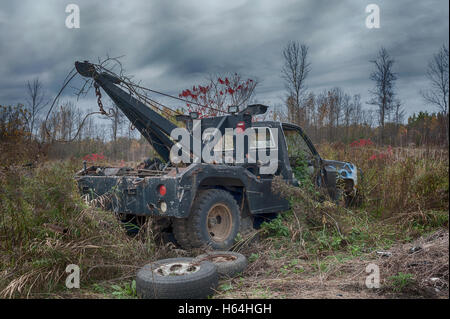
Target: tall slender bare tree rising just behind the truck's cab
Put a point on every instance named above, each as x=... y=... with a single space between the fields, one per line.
x=295 y=70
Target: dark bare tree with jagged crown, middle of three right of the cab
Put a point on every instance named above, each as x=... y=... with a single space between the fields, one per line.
x=383 y=94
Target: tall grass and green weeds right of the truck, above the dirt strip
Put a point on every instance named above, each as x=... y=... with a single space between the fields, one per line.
x=403 y=197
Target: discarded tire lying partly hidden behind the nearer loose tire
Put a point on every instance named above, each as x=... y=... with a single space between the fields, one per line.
x=229 y=263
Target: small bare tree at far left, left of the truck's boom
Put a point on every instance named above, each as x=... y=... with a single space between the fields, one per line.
x=36 y=102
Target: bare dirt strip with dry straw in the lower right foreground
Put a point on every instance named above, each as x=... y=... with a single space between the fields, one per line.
x=423 y=262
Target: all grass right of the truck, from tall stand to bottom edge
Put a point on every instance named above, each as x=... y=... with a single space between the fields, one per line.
x=324 y=249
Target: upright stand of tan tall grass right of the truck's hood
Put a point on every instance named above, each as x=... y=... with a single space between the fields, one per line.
x=400 y=182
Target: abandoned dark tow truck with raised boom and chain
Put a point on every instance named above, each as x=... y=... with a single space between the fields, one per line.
x=203 y=203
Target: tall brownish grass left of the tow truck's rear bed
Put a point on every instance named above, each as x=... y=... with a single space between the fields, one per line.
x=45 y=226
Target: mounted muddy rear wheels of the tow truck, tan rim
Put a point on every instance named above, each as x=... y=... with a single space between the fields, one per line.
x=214 y=221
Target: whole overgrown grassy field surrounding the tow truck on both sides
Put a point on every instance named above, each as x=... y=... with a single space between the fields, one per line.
x=315 y=250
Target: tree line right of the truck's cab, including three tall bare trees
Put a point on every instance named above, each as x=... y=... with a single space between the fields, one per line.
x=334 y=115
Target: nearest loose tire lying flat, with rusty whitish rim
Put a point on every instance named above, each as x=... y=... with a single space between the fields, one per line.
x=177 y=278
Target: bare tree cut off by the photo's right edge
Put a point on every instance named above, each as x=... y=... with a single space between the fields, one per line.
x=437 y=74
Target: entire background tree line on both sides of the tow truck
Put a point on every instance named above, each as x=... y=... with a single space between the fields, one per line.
x=331 y=115
